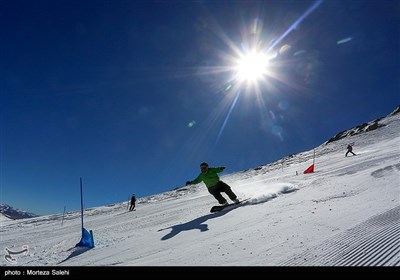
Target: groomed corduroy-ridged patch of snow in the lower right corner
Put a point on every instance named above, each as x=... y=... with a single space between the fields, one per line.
x=375 y=242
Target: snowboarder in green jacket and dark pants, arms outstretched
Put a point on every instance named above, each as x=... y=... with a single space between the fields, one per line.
x=214 y=185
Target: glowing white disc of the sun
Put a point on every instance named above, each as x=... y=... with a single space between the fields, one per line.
x=252 y=66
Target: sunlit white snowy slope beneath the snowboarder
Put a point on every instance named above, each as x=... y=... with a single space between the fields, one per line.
x=345 y=213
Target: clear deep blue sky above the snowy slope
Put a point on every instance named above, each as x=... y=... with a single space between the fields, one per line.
x=133 y=95
